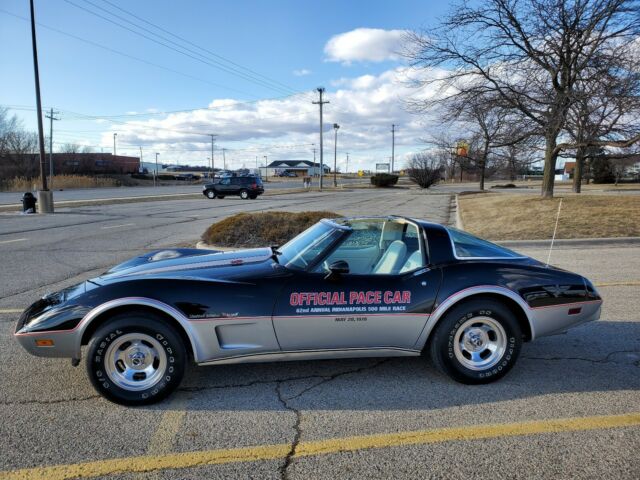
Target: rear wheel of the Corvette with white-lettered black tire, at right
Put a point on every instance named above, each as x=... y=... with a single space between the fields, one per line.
x=493 y=321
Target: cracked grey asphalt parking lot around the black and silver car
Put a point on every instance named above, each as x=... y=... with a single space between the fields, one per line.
x=569 y=409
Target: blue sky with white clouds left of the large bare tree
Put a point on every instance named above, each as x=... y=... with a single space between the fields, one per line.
x=289 y=42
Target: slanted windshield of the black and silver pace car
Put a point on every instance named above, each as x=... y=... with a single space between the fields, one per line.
x=302 y=250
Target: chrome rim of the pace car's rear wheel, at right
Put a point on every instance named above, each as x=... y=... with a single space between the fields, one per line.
x=480 y=343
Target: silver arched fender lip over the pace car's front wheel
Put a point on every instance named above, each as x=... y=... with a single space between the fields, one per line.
x=102 y=313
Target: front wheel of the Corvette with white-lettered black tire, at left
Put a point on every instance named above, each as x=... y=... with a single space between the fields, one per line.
x=153 y=331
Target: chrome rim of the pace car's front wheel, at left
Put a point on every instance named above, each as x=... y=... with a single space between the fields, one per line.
x=135 y=361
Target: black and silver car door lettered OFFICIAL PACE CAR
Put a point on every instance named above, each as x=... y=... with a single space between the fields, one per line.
x=356 y=310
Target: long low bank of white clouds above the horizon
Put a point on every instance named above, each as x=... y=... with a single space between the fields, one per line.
x=363 y=106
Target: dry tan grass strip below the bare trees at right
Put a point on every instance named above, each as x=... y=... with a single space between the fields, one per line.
x=517 y=217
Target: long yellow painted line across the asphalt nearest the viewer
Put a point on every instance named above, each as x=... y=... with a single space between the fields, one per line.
x=149 y=463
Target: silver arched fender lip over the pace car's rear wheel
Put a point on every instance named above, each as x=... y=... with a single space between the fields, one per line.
x=503 y=295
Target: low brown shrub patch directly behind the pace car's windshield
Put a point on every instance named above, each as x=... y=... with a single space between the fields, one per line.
x=261 y=229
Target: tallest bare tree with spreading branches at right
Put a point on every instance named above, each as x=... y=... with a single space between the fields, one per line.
x=530 y=53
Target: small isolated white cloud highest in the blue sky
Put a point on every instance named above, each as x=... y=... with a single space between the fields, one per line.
x=364 y=44
